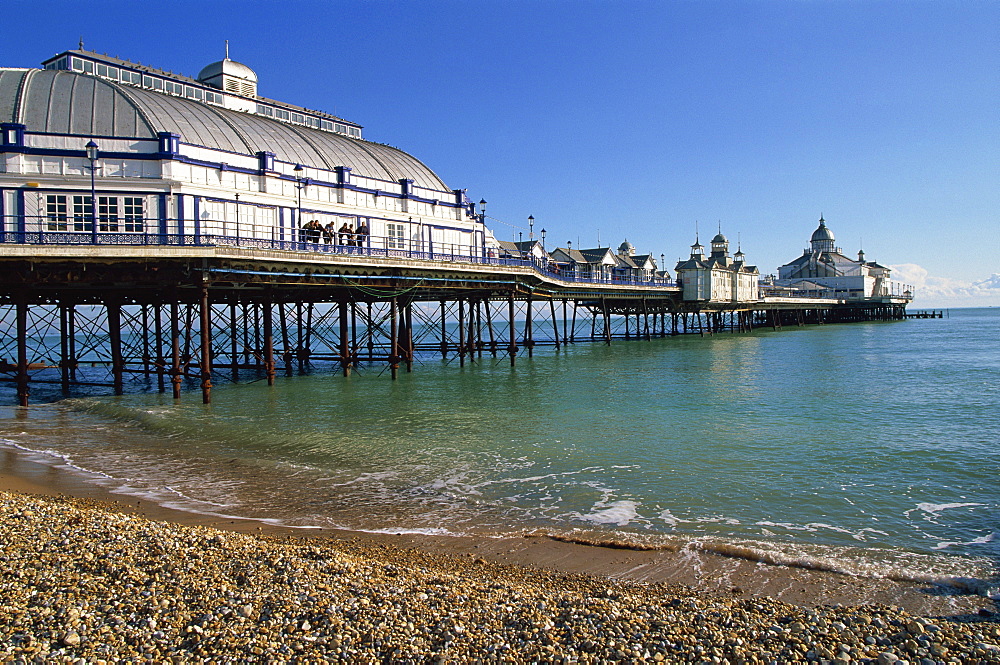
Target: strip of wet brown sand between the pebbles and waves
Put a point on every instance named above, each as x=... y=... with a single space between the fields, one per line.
x=706 y=573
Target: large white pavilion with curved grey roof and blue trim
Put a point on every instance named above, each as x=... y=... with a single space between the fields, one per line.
x=205 y=158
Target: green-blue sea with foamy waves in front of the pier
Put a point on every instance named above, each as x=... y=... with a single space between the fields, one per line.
x=864 y=448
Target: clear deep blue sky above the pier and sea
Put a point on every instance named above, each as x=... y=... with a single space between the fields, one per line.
x=637 y=119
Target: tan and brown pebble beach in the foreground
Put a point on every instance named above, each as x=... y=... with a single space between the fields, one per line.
x=84 y=583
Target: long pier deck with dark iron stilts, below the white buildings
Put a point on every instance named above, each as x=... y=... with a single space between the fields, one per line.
x=176 y=312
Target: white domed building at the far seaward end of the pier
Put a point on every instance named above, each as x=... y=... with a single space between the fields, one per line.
x=824 y=271
